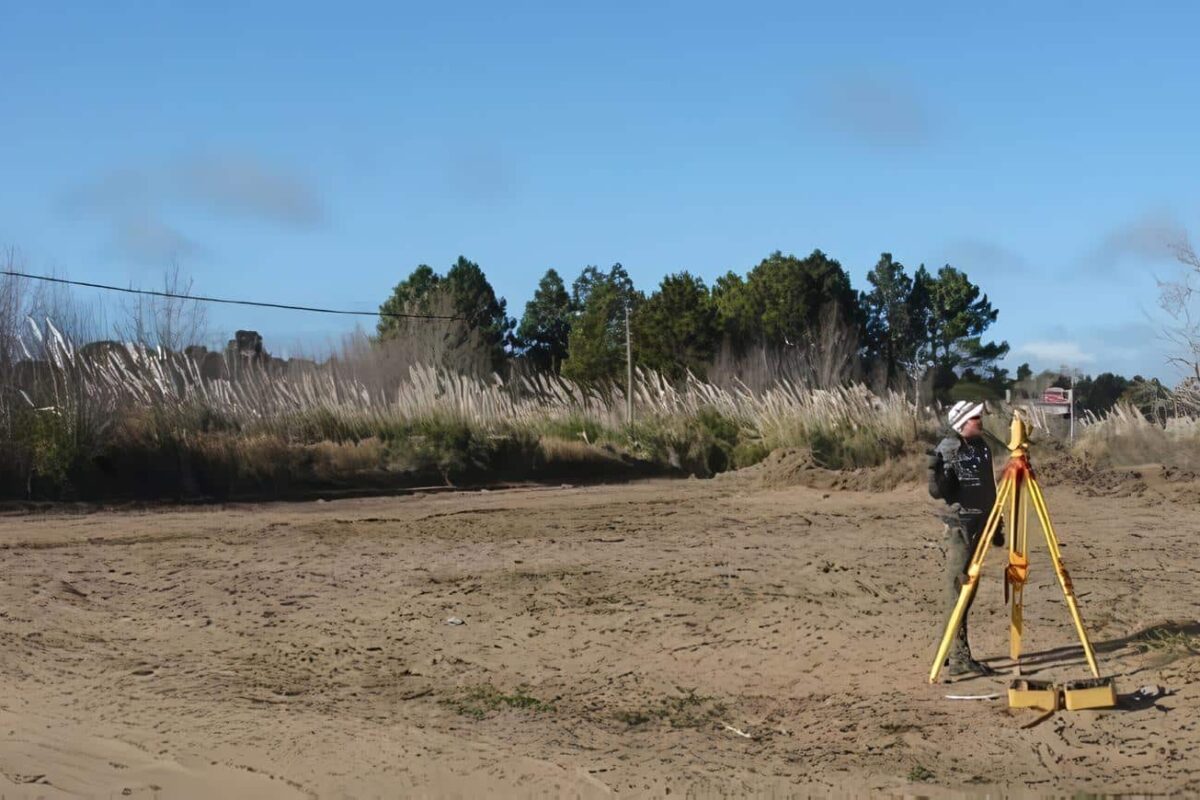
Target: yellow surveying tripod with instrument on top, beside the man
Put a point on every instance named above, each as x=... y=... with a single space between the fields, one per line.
x=1018 y=490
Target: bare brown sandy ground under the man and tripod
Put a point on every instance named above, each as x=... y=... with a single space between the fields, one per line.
x=693 y=639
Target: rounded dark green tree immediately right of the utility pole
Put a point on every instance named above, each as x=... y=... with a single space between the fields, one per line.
x=677 y=328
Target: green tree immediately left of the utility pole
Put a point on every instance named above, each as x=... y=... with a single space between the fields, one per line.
x=596 y=351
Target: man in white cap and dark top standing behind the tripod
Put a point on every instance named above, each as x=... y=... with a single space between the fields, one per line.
x=961 y=473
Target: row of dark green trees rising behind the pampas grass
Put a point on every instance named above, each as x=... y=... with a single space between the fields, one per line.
x=920 y=330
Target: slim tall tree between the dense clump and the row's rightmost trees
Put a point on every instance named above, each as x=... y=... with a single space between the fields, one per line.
x=890 y=335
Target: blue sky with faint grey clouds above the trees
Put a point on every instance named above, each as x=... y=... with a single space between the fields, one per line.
x=316 y=154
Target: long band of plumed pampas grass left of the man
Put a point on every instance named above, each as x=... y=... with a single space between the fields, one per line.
x=131 y=419
